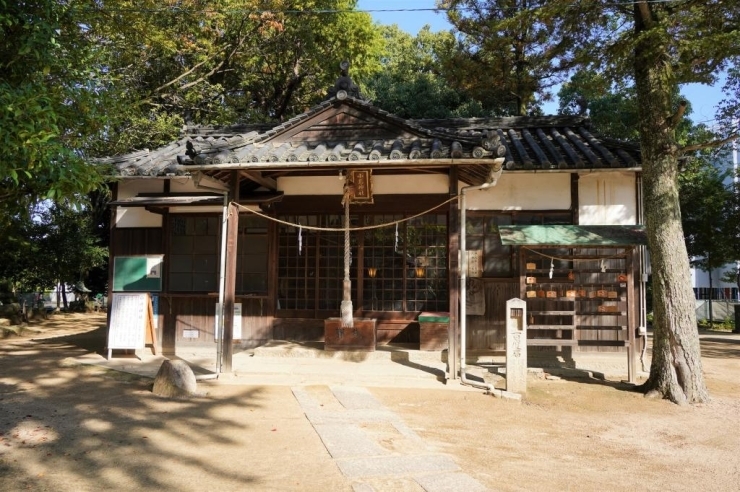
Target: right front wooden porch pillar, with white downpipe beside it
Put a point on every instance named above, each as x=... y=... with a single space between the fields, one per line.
x=453 y=260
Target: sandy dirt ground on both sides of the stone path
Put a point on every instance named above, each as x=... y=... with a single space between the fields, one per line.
x=70 y=427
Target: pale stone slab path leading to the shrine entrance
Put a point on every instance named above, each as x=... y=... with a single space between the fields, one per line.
x=373 y=446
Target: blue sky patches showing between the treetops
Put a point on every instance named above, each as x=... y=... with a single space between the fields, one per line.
x=412 y=15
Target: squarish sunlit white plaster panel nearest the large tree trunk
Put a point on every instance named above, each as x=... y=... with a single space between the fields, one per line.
x=607 y=198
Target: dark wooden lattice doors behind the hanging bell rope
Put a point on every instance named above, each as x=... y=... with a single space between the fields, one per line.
x=408 y=274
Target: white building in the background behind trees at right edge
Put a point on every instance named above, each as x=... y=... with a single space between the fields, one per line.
x=719 y=290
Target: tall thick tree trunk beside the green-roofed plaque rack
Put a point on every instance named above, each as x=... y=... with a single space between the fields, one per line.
x=676 y=370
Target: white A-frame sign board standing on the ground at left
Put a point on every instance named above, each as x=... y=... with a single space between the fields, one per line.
x=131 y=324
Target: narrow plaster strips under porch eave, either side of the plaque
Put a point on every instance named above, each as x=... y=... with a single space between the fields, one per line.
x=382 y=185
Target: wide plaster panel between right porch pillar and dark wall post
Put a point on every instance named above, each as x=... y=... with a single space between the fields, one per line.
x=514 y=191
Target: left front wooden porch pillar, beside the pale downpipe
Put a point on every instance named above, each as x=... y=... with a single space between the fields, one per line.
x=232 y=234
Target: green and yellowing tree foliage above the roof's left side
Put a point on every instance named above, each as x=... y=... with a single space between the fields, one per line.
x=92 y=78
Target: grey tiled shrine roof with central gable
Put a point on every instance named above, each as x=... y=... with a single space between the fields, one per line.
x=379 y=139
